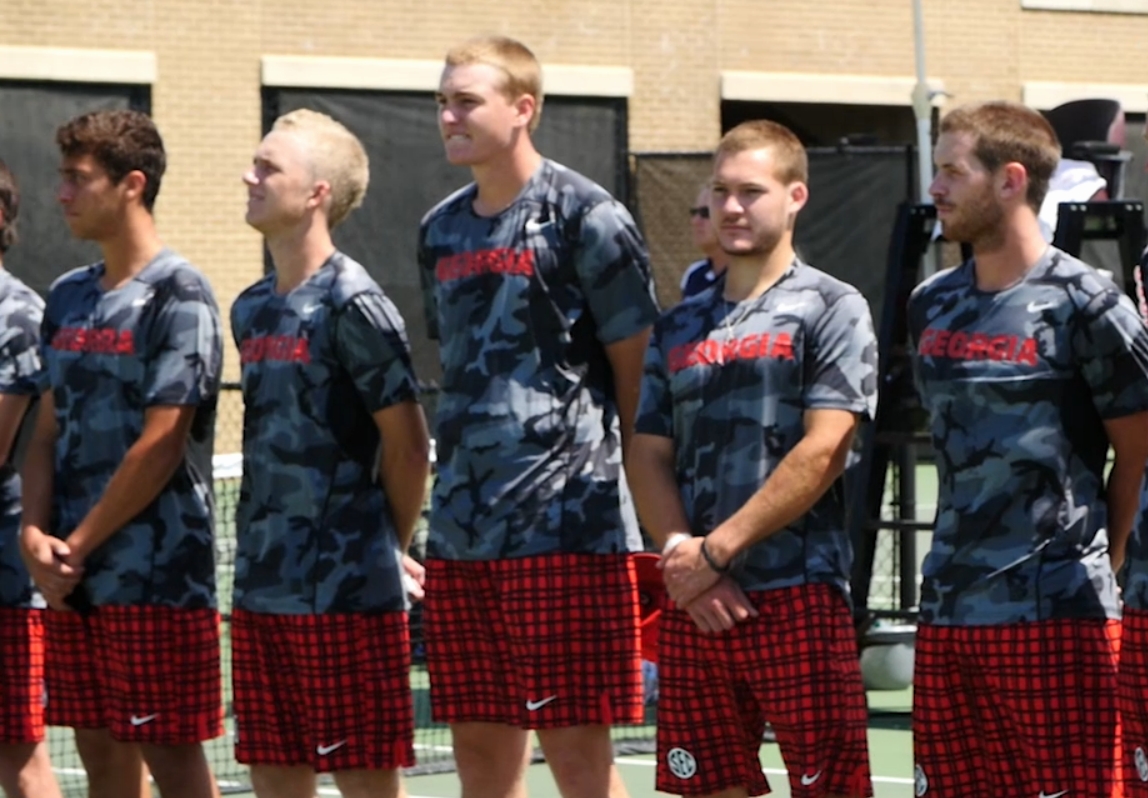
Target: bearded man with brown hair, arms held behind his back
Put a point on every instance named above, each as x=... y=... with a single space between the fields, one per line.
x=1030 y=365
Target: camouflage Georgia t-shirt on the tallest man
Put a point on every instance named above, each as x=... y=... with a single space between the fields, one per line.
x=523 y=304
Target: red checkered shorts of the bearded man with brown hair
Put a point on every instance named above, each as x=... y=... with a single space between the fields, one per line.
x=1018 y=710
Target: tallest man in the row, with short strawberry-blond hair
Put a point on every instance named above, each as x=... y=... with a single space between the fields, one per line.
x=539 y=290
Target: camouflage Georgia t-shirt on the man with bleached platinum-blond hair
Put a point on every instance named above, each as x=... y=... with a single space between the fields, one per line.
x=315 y=530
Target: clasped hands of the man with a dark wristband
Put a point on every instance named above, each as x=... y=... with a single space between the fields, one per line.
x=713 y=601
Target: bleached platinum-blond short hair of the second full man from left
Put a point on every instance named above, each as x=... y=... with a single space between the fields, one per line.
x=336 y=156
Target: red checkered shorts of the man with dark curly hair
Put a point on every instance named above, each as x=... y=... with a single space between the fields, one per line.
x=149 y=675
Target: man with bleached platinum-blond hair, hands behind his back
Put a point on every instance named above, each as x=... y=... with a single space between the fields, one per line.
x=335 y=474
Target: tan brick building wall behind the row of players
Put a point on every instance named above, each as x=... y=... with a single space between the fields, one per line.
x=677 y=61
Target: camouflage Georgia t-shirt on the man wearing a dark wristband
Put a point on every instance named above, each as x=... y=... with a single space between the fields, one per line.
x=731 y=384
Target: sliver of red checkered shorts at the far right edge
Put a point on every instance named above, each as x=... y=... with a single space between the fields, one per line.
x=1134 y=702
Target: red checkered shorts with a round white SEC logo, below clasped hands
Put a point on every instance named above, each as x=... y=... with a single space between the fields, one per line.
x=795 y=667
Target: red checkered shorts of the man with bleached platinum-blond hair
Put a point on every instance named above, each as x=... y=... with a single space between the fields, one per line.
x=329 y=692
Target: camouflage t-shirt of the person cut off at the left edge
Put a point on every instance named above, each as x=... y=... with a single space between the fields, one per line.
x=21 y=375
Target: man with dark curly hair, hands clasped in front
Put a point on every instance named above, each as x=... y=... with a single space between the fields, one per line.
x=118 y=520
